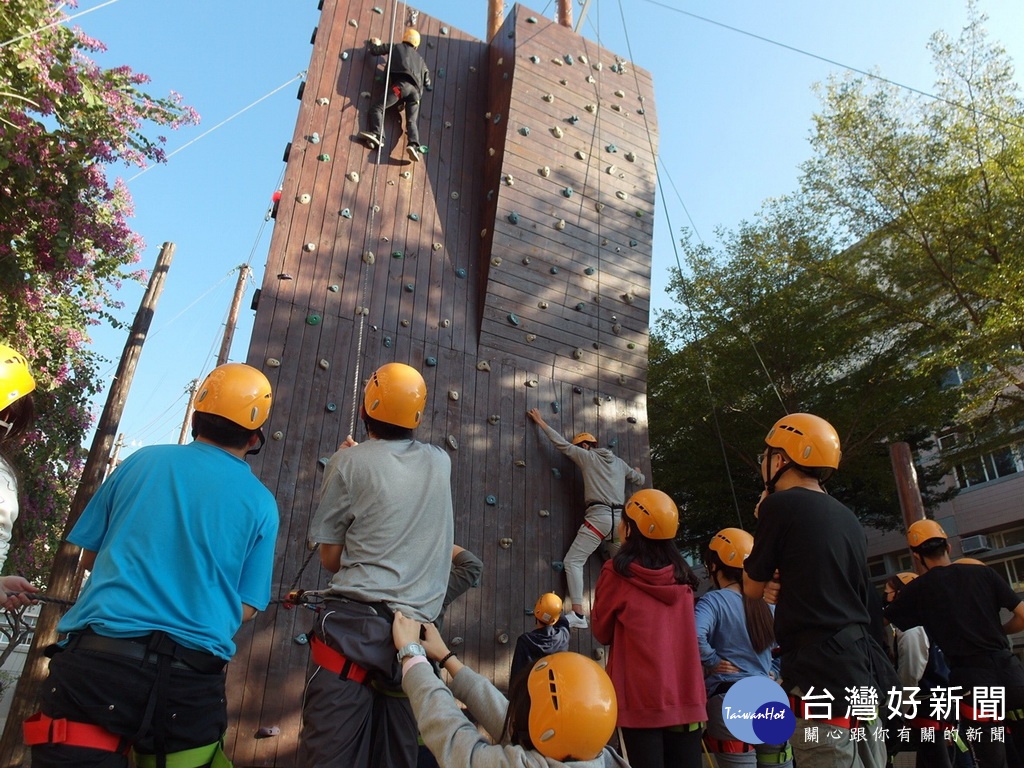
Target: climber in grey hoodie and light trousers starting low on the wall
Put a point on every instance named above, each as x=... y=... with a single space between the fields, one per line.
x=605 y=478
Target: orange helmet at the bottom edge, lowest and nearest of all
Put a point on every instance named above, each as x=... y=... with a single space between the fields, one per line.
x=573 y=708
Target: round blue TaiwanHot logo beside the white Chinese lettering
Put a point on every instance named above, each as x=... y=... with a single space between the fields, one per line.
x=756 y=711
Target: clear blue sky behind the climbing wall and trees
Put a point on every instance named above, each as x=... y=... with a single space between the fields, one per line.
x=735 y=115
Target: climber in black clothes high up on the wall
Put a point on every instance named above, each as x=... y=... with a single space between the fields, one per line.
x=408 y=77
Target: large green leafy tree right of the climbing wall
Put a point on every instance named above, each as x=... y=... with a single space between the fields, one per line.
x=899 y=261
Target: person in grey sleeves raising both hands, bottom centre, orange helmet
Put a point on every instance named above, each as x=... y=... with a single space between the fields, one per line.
x=563 y=712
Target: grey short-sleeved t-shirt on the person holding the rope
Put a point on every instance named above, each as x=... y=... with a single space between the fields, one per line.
x=389 y=503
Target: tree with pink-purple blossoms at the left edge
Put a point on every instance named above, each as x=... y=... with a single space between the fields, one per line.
x=66 y=244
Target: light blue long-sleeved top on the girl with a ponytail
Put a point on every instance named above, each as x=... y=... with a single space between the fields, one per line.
x=722 y=635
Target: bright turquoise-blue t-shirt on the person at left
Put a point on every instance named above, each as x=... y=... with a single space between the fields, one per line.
x=185 y=535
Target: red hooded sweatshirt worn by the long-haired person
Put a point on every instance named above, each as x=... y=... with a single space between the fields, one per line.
x=654 y=663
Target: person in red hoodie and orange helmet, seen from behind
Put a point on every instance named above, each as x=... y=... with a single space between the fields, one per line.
x=644 y=608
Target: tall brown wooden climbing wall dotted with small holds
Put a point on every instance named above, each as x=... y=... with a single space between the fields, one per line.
x=513 y=268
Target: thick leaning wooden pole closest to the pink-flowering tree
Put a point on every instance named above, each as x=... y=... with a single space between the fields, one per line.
x=65 y=577
